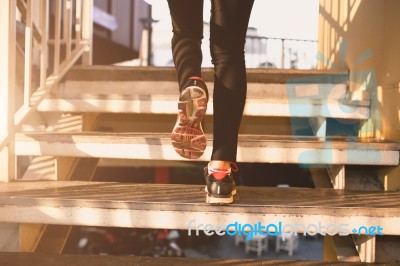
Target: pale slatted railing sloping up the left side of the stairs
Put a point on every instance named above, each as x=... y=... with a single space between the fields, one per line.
x=55 y=35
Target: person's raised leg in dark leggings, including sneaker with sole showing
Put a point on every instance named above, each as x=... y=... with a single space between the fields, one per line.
x=187 y=136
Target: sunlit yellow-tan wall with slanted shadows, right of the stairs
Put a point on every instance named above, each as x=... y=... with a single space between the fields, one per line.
x=363 y=36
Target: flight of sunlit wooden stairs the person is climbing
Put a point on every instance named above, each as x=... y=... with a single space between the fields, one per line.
x=316 y=96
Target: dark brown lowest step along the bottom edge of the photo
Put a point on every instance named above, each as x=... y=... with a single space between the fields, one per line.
x=23 y=259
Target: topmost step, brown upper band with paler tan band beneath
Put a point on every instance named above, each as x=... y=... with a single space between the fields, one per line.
x=262 y=83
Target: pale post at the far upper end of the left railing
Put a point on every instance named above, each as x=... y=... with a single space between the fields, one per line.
x=87 y=30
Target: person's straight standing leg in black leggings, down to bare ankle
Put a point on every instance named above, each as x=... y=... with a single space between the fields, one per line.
x=228 y=27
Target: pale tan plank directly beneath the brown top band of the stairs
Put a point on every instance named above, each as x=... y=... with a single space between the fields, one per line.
x=72 y=89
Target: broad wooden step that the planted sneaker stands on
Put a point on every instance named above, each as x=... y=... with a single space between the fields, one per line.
x=174 y=206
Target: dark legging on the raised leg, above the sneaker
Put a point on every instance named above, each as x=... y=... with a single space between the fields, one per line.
x=187 y=27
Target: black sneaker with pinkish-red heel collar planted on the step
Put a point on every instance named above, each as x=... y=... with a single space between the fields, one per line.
x=220 y=185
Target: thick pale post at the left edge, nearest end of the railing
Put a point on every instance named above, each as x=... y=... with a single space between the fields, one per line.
x=7 y=89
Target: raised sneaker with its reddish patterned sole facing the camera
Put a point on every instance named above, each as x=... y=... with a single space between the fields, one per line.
x=188 y=137
